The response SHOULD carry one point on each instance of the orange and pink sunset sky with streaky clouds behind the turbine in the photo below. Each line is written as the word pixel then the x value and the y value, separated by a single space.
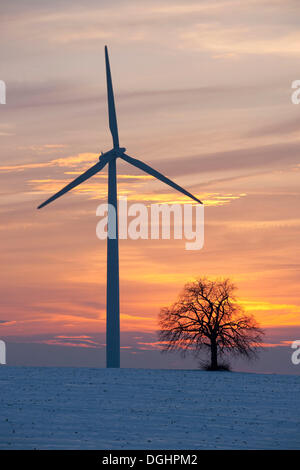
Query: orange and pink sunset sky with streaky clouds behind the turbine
pixel 203 94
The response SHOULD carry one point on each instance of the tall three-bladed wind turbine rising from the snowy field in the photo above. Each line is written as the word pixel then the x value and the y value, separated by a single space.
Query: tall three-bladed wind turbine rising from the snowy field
pixel 110 157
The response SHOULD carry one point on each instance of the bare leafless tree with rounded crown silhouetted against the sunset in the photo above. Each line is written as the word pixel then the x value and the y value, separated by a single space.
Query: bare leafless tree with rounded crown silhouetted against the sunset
pixel 206 315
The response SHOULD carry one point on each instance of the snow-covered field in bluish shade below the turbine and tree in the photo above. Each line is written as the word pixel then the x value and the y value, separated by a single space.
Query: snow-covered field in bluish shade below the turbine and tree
pixel 81 408
